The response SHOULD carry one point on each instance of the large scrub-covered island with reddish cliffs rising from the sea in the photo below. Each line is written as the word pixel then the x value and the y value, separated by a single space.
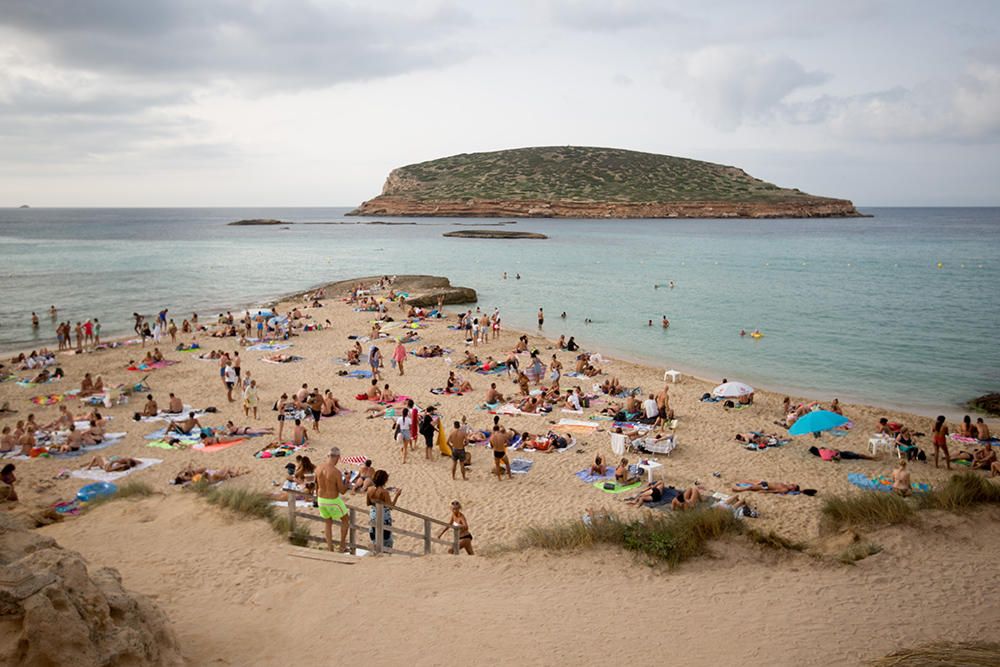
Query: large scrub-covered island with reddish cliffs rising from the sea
pixel 584 182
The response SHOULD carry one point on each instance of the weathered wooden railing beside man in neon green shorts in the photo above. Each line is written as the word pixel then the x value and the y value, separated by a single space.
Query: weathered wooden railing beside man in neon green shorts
pixel 378 546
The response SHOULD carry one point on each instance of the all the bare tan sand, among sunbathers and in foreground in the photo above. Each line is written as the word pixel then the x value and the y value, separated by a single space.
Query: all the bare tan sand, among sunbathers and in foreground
pixel 237 596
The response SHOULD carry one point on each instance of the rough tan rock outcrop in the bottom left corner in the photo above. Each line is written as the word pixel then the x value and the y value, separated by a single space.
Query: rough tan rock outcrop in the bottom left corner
pixel 55 612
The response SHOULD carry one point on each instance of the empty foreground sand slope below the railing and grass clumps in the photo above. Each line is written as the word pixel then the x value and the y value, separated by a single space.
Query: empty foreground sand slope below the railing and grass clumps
pixel 237 598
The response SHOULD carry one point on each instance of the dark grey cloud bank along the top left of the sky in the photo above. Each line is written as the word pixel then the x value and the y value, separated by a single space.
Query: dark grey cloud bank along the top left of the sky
pixel 285 44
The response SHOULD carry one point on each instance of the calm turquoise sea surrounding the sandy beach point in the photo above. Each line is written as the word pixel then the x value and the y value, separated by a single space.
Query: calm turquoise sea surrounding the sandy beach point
pixel 855 308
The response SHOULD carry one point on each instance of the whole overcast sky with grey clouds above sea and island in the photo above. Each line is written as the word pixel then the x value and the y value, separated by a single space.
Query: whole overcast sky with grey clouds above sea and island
pixel 312 102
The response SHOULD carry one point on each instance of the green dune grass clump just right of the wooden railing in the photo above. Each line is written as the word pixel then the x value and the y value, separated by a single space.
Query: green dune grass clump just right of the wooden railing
pixel 667 538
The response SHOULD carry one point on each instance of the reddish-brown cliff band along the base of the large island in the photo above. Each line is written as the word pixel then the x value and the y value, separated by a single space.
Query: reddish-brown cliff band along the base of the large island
pixel 390 205
